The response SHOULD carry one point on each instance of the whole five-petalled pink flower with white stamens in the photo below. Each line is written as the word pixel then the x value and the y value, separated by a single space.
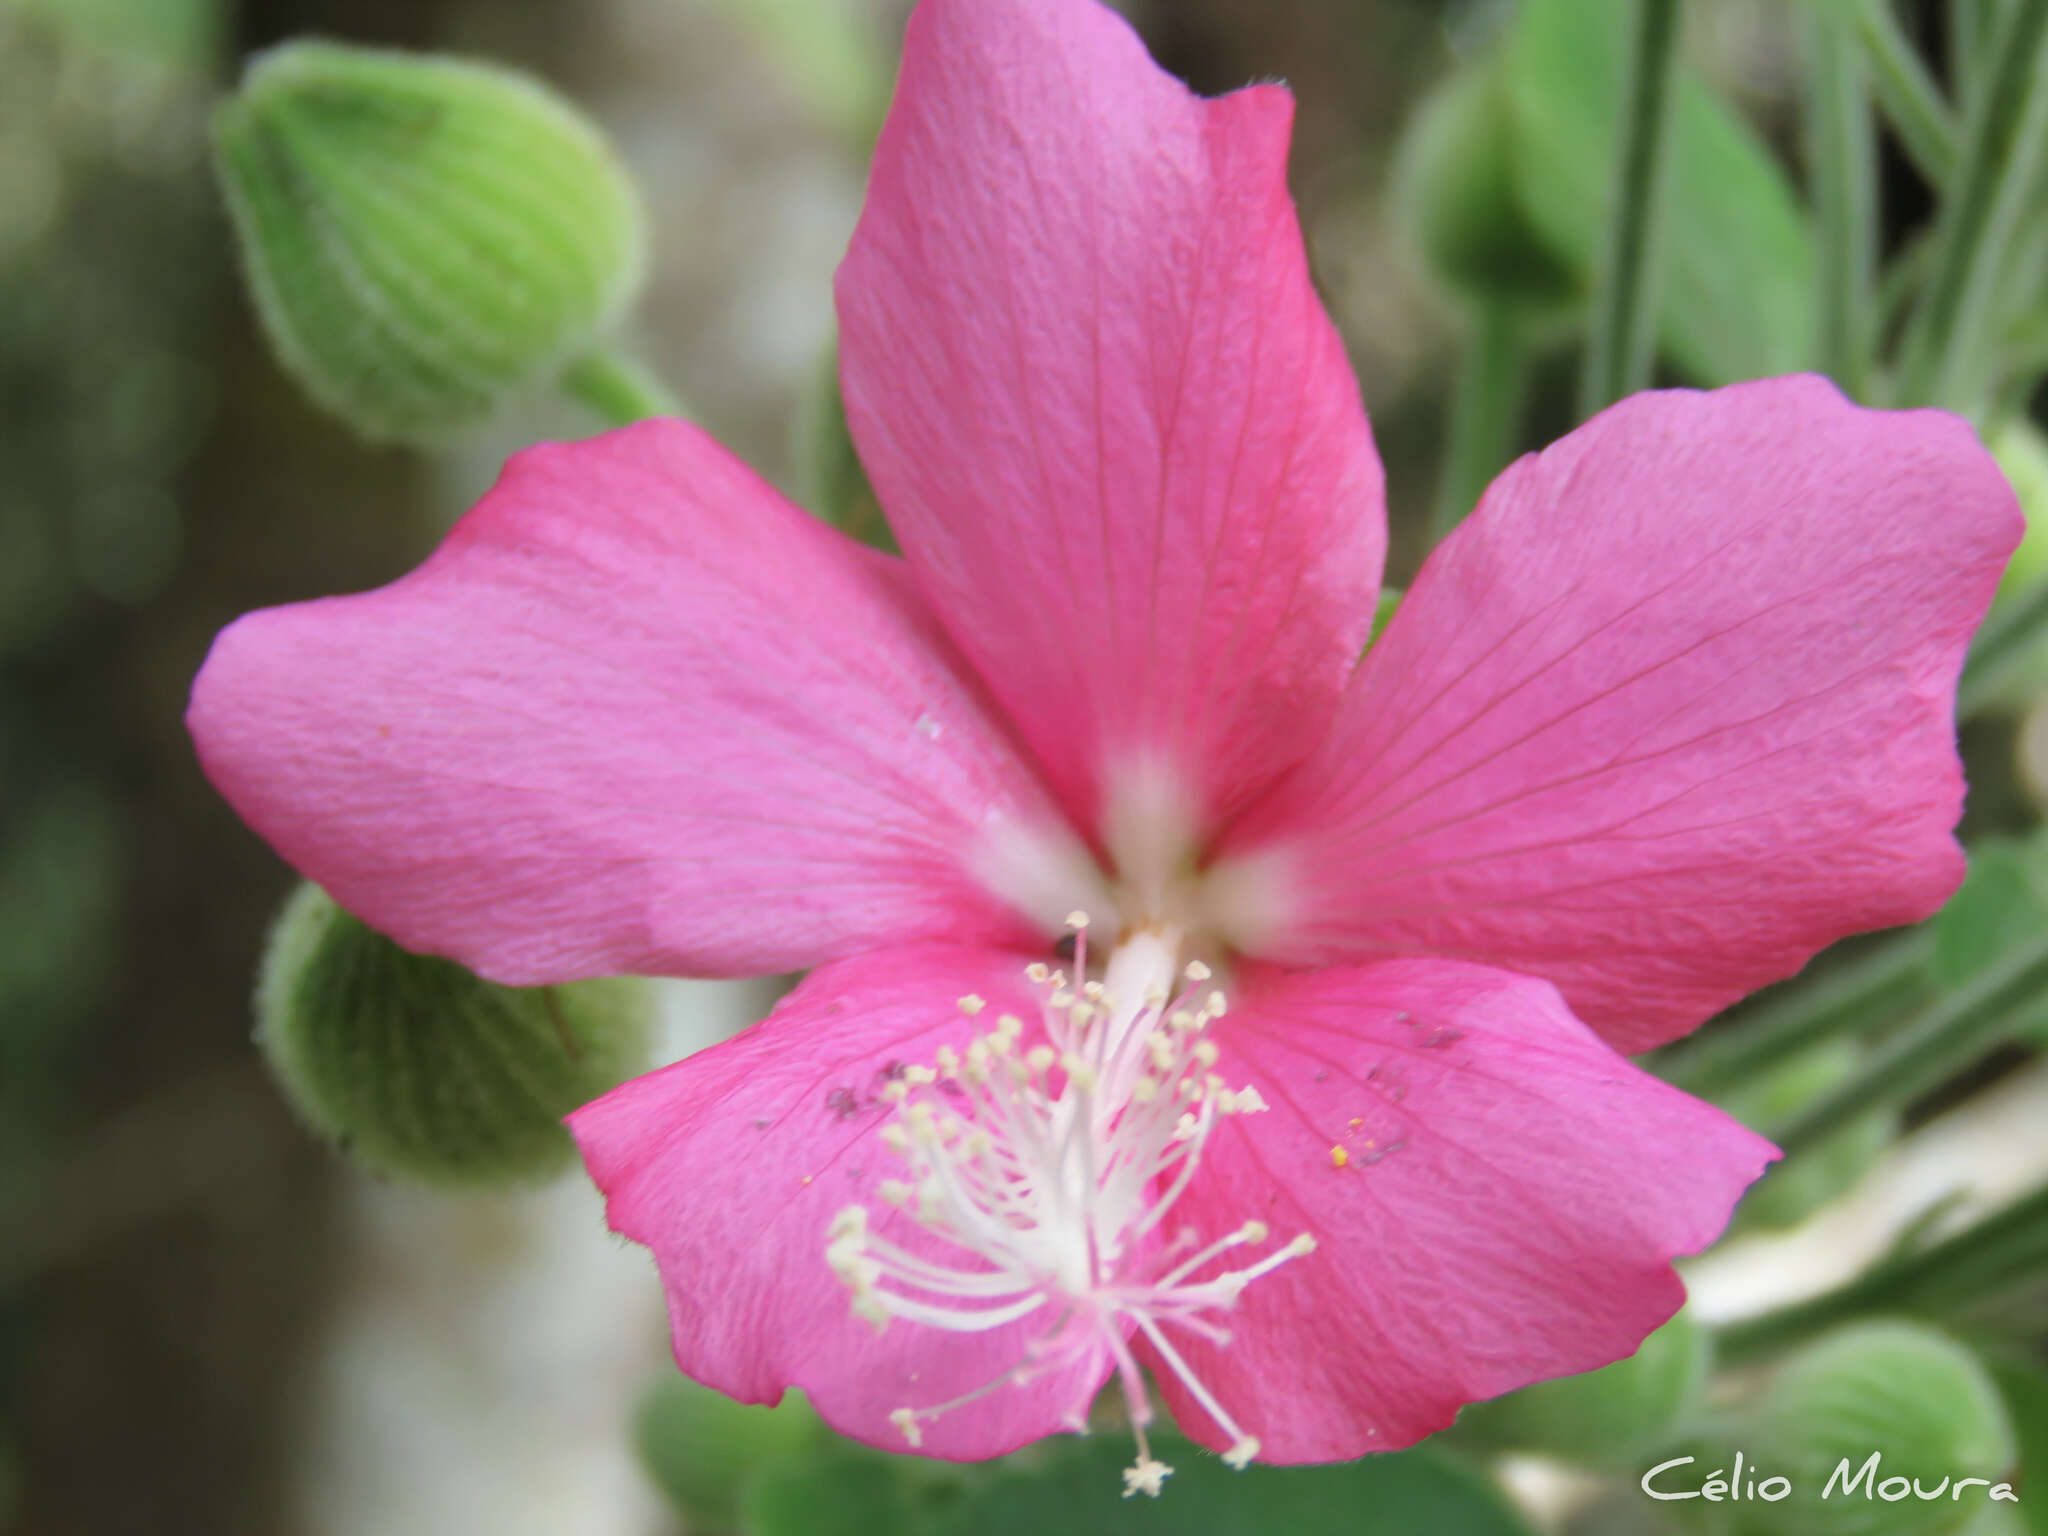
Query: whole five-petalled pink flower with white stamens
pixel 1664 718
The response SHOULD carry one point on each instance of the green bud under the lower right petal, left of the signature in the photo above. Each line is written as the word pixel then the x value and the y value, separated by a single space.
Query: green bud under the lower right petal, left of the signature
pixel 1603 1418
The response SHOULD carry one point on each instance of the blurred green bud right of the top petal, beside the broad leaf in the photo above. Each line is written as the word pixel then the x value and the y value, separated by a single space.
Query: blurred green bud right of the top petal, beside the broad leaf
pixel 1455 194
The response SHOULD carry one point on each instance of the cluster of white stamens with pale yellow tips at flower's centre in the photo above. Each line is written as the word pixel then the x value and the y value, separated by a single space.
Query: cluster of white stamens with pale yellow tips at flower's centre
pixel 1052 1170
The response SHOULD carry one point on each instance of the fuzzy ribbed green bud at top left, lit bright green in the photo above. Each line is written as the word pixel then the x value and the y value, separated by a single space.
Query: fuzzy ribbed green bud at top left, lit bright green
pixel 425 237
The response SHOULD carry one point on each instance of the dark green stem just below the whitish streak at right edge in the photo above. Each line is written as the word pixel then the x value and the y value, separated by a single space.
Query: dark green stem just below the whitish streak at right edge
pixel 1940 1281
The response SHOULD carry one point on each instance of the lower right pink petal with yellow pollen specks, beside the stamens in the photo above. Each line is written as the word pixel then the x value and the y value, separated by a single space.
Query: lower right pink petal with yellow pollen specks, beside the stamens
pixel 1508 1209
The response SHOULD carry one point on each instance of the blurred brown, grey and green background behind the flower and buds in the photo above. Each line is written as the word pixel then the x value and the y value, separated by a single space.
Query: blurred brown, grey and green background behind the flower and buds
pixel 208 1322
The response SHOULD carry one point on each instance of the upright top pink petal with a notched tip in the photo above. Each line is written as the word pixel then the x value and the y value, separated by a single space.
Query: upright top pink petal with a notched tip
pixel 1109 419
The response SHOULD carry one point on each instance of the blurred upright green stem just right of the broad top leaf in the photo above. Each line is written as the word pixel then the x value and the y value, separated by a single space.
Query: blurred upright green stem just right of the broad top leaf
pixel 1842 146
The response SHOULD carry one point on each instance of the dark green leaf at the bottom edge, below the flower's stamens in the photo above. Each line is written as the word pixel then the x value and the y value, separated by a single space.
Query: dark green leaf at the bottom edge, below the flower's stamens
pixel 1076 1494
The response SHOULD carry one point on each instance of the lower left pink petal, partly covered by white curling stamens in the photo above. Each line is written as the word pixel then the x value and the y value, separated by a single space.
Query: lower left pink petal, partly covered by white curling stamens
pixel 732 1166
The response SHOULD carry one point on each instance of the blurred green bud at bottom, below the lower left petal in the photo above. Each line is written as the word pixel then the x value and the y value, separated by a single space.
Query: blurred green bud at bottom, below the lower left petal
pixel 703 1449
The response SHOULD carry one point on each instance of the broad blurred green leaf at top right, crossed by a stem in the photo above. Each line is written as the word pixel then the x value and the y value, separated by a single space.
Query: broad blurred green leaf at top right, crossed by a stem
pixel 1738 284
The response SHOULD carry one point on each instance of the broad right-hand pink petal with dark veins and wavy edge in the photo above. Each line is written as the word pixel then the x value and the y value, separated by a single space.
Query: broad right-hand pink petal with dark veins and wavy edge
pixel 1672 712
